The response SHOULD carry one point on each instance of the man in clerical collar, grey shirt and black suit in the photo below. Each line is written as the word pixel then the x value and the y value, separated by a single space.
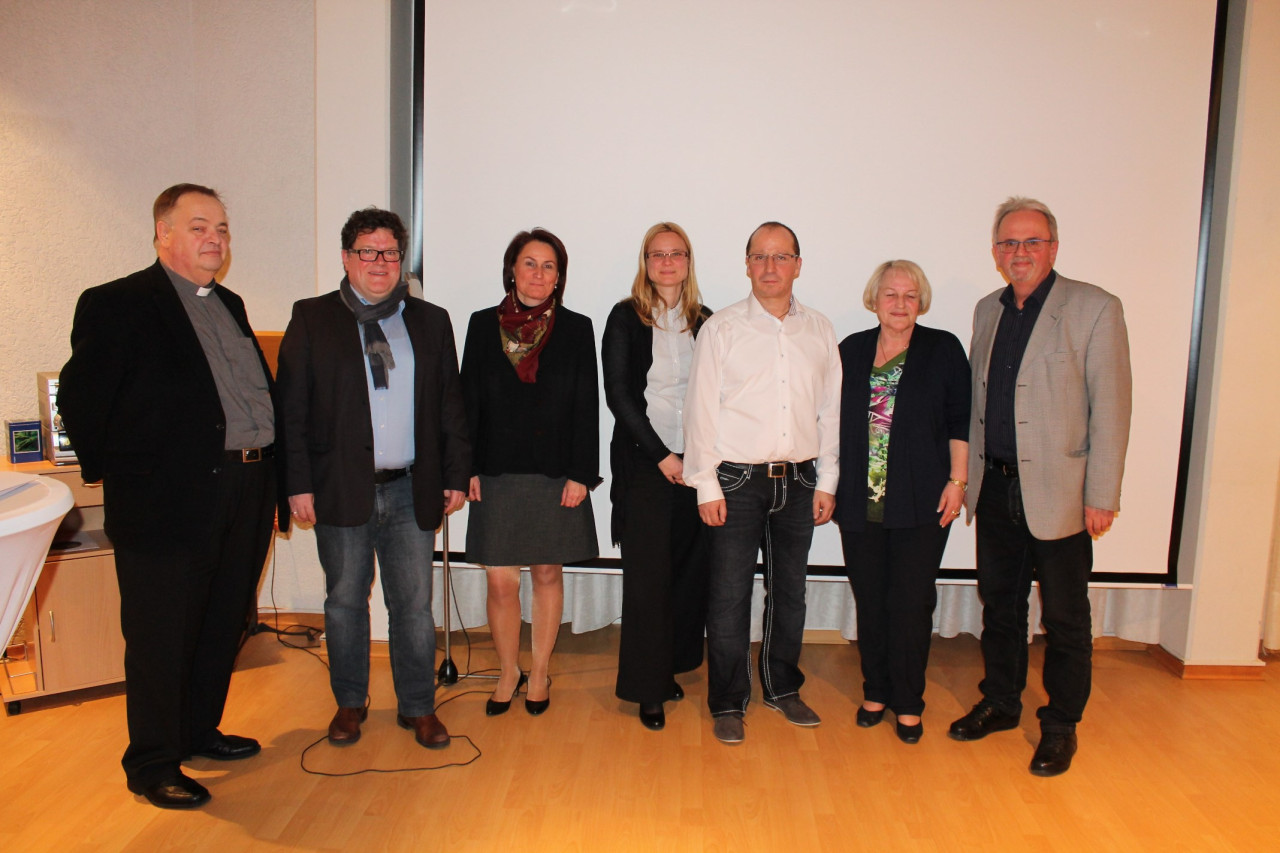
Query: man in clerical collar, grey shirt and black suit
pixel 167 400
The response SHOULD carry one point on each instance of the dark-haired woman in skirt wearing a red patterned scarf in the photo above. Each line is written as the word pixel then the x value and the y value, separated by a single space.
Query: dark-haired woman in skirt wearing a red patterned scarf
pixel 531 387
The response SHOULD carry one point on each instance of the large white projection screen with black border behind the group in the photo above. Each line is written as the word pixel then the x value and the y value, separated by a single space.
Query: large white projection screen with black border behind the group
pixel 875 130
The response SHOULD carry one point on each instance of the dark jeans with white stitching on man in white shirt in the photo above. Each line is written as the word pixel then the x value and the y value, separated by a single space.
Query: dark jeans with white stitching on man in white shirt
pixel 775 514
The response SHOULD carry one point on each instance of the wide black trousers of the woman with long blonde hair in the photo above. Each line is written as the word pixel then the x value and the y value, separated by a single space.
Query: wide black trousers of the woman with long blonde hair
pixel 664 585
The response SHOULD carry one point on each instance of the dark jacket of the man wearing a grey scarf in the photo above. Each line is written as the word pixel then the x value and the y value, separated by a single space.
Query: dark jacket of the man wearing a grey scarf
pixel 326 422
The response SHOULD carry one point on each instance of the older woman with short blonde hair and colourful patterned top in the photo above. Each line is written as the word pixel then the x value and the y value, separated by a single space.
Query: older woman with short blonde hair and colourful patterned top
pixel 904 453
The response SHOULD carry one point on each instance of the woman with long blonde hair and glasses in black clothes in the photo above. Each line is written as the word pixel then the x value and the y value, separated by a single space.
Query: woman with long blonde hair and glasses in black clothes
pixel 647 352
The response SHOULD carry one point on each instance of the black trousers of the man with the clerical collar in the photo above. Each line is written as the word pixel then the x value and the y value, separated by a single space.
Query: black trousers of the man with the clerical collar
pixel 184 609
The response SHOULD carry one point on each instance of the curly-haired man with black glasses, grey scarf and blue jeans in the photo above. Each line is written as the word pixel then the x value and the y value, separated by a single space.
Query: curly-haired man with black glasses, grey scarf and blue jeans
pixel 377 453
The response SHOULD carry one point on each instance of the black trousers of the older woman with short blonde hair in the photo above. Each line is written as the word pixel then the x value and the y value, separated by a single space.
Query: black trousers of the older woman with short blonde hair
pixel 894 574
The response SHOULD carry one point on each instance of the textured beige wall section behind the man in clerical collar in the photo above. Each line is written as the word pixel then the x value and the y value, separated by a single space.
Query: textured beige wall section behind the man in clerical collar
pixel 106 104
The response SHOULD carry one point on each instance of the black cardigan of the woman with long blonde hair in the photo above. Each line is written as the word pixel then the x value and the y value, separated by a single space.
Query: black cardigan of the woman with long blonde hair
pixel 628 355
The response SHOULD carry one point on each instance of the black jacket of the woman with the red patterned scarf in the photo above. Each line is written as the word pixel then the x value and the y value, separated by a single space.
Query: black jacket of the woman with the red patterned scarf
pixel 550 427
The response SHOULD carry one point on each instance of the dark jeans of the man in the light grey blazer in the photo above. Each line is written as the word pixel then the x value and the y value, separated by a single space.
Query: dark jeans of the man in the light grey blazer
pixel 1009 556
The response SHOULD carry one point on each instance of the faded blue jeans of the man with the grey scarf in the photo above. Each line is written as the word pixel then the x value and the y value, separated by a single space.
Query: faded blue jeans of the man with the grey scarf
pixel 405 560
